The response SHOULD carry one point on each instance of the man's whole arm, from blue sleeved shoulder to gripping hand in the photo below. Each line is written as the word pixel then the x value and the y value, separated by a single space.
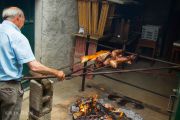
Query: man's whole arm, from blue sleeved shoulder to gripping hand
pixel 24 54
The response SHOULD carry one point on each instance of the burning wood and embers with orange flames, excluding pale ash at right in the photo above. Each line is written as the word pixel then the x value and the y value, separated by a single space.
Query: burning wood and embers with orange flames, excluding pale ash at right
pixel 92 108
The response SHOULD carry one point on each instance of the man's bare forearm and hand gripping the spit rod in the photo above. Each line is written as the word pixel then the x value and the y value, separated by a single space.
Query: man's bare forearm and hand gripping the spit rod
pixel 36 66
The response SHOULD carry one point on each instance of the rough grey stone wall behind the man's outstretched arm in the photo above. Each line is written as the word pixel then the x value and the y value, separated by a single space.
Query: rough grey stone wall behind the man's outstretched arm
pixel 55 21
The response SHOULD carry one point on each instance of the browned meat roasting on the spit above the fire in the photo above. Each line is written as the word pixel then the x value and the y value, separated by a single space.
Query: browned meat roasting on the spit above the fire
pixel 104 58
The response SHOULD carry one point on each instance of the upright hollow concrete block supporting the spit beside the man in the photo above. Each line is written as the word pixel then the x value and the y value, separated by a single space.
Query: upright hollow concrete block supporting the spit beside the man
pixel 41 93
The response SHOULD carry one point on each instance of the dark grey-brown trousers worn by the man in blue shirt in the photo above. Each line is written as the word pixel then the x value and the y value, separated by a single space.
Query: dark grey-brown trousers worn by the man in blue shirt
pixel 11 96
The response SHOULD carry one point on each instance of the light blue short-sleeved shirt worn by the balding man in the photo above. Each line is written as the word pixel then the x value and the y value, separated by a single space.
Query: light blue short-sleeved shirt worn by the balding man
pixel 15 50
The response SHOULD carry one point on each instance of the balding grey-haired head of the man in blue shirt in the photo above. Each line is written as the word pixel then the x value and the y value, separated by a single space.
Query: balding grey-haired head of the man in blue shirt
pixel 15 15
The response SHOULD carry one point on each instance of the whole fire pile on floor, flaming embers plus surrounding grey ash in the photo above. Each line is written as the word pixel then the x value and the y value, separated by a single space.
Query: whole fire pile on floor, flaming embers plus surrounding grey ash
pixel 91 108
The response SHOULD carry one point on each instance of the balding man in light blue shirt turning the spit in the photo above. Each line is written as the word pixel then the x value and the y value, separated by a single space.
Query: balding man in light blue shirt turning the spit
pixel 14 52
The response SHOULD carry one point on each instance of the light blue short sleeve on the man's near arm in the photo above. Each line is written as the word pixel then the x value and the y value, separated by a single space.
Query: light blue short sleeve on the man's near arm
pixel 22 49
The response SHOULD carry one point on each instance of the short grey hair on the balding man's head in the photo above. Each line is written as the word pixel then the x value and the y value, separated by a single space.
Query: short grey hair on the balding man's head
pixel 11 12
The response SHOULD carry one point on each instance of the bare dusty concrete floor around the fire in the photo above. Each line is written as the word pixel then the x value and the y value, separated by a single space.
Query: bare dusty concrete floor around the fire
pixel 66 92
